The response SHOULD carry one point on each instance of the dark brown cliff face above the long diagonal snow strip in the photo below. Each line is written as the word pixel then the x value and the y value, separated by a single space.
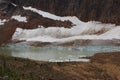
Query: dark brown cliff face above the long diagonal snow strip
pixel 107 11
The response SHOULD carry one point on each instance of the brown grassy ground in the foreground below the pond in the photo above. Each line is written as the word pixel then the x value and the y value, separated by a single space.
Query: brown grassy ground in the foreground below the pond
pixel 102 66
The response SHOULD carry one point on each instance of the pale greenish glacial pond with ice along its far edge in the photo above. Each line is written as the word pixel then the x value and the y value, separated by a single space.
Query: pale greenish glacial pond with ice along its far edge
pixel 55 53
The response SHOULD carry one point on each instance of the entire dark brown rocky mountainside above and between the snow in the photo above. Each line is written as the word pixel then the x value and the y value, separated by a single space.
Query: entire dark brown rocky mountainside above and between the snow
pixel 106 11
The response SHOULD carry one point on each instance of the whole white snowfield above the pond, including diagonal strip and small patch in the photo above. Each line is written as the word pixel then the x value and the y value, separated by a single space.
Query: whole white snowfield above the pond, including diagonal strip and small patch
pixel 80 30
